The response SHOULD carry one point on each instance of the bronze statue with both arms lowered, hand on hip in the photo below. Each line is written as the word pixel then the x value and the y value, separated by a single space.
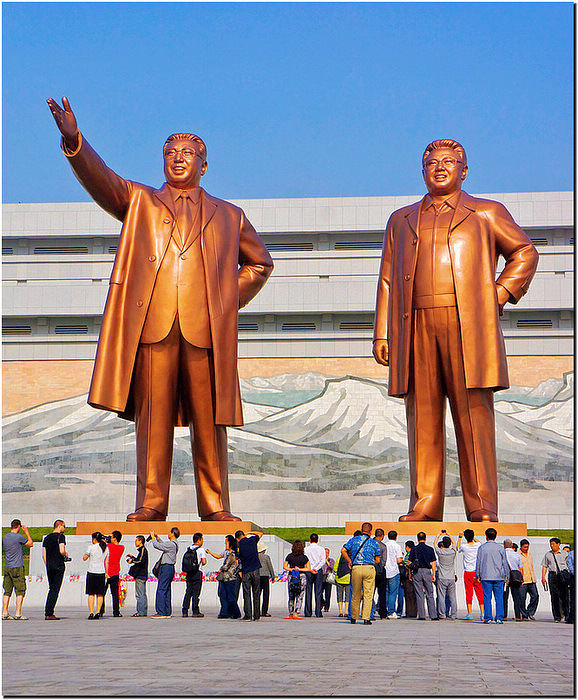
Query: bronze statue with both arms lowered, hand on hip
pixel 437 328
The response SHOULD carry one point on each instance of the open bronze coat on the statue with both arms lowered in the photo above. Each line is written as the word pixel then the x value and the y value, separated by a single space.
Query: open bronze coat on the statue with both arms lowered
pixel 480 232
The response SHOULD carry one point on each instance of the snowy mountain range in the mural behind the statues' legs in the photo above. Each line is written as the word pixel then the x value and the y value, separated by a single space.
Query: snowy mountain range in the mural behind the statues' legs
pixel 307 432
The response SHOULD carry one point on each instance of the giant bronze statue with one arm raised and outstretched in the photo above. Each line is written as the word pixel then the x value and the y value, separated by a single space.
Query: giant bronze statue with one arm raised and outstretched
pixel 167 352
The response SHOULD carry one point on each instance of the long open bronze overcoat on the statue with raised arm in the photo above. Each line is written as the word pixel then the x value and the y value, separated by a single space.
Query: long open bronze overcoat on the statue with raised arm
pixel 236 264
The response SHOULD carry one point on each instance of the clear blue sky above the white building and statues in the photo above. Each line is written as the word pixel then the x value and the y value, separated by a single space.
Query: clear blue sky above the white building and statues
pixel 292 99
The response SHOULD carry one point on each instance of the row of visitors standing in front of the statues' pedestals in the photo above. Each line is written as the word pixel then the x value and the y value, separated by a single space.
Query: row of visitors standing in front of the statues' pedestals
pixel 373 577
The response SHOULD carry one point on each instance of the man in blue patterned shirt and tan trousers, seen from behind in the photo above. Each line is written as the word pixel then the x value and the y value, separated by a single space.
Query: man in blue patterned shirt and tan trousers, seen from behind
pixel 362 554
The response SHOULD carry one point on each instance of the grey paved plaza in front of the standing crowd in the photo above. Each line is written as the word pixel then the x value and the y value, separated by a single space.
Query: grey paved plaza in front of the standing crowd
pixel 329 656
